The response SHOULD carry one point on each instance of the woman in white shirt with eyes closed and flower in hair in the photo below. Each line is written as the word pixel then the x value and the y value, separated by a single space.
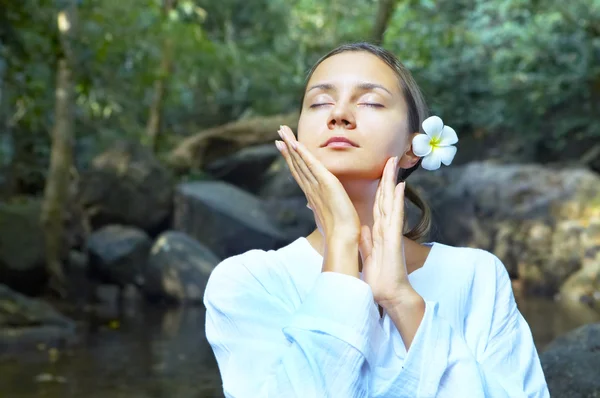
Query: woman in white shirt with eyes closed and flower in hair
pixel 356 309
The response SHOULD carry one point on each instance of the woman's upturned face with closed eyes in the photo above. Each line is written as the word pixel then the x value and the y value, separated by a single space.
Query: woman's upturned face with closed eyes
pixel 355 96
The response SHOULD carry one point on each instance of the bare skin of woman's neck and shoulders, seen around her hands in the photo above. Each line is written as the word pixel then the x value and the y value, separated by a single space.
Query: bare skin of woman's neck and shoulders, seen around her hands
pixel 362 195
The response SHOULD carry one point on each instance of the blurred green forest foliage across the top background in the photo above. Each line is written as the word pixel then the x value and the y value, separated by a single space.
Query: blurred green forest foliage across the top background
pixel 530 69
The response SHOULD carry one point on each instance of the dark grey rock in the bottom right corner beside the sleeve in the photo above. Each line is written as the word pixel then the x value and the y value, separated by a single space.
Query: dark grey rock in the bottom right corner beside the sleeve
pixel 571 363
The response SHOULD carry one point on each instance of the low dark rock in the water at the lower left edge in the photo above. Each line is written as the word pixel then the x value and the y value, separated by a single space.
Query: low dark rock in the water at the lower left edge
pixel 25 323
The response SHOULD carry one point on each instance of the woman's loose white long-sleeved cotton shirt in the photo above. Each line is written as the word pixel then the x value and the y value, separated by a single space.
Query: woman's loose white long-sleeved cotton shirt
pixel 279 327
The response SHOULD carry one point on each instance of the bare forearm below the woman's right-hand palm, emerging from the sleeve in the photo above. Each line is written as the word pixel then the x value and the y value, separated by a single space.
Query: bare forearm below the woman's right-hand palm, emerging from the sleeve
pixel 406 314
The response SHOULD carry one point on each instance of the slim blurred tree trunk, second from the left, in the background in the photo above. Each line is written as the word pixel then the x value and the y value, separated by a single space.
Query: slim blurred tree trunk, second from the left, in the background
pixel 160 84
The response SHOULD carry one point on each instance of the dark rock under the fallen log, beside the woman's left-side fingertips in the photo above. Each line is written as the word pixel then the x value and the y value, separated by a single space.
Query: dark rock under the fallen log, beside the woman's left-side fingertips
pixel 245 168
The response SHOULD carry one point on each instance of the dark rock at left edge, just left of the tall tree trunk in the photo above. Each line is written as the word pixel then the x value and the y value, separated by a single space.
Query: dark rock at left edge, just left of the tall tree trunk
pixel 22 252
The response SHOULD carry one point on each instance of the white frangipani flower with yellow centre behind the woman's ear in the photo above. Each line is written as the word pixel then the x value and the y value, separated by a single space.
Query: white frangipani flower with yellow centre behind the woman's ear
pixel 436 146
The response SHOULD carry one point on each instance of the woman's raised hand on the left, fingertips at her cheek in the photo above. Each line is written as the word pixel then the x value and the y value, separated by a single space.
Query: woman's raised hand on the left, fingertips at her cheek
pixel 335 214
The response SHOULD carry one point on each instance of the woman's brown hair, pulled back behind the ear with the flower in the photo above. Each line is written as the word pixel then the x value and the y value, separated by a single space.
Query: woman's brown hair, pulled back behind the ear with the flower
pixel 417 112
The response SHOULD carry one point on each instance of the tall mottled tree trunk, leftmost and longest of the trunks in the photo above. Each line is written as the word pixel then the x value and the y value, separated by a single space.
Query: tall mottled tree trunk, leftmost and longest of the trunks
pixel 61 158
